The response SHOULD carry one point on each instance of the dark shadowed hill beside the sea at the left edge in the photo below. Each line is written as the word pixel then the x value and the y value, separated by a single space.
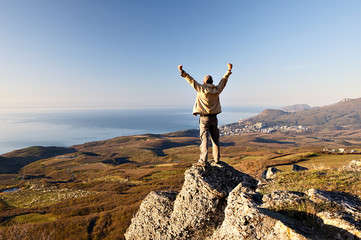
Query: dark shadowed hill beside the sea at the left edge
pixel 13 161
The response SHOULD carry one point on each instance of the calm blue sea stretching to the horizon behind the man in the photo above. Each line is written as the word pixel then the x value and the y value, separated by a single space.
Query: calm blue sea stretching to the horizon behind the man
pixel 21 128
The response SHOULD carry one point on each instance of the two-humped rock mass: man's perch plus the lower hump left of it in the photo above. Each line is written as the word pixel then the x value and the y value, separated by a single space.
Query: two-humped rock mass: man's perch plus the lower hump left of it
pixel 196 211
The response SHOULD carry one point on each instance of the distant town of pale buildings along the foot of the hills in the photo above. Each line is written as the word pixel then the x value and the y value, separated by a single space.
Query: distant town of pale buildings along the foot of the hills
pixel 247 127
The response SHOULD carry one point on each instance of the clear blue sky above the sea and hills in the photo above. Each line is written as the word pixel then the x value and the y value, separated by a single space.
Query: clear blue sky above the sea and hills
pixel 86 53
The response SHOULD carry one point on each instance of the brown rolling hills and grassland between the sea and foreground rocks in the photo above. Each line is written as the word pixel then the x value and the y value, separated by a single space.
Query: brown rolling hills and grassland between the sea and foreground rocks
pixel 92 190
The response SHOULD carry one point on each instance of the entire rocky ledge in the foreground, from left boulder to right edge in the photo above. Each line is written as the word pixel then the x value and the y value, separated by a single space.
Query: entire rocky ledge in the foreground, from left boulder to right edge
pixel 219 202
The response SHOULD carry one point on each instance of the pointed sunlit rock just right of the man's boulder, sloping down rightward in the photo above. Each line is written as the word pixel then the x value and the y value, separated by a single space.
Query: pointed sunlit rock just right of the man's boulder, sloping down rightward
pixel 246 219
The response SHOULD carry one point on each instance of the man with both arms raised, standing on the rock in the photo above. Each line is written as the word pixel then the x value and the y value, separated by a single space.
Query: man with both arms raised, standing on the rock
pixel 207 105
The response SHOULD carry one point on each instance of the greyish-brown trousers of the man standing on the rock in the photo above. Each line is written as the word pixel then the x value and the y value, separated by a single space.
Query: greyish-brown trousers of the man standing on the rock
pixel 208 125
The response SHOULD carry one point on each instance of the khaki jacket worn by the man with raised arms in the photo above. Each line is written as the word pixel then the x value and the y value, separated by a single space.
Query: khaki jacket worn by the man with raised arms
pixel 207 101
